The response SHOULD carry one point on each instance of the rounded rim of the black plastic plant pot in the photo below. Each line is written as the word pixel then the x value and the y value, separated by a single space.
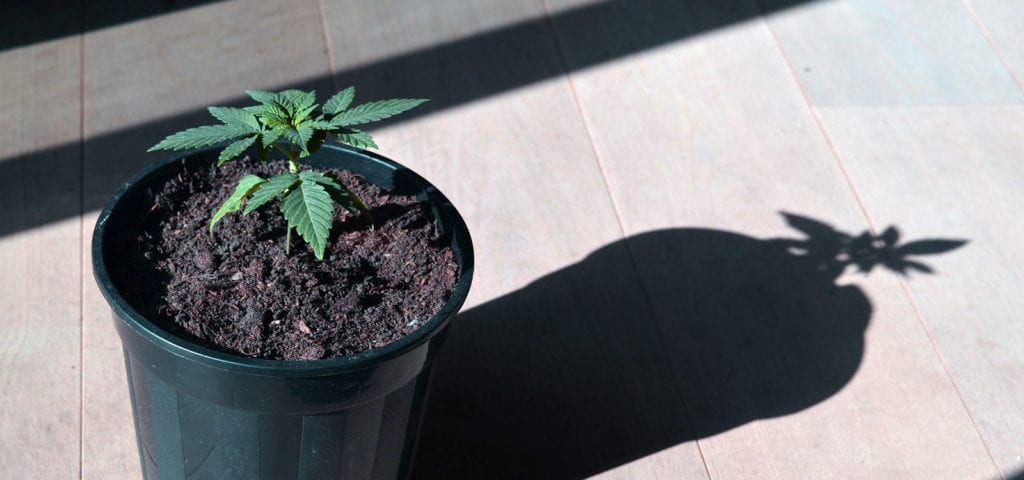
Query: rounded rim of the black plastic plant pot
pixel 189 351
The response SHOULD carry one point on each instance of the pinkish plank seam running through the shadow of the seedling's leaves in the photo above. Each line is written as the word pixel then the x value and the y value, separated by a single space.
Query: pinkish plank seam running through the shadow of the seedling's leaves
pixel 871 224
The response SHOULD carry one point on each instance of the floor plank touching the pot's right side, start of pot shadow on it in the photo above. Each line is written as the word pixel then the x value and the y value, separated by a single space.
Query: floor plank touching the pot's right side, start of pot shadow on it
pixel 553 369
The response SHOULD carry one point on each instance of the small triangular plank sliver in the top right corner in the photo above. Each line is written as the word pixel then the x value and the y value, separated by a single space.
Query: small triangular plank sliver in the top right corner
pixel 1002 22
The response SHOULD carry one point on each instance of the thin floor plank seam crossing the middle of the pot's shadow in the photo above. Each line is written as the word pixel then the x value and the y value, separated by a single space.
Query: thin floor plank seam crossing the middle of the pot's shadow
pixel 617 210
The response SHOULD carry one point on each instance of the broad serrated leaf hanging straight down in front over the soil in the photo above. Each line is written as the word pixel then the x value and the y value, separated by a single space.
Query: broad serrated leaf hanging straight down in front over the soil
pixel 310 210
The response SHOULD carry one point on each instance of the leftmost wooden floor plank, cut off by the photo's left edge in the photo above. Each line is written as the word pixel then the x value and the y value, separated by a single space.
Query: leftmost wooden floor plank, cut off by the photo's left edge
pixel 40 278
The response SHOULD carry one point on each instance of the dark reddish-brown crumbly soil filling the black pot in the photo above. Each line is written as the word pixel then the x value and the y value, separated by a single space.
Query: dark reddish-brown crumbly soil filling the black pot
pixel 238 292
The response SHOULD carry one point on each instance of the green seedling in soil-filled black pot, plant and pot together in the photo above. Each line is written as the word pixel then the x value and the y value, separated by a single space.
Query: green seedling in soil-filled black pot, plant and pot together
pixel 251 355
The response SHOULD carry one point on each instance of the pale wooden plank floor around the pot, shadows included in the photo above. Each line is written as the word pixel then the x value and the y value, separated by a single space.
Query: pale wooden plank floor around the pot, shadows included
pixel 723 240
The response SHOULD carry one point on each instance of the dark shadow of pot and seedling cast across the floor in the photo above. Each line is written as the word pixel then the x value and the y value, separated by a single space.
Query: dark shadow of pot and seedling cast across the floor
pixel 664 338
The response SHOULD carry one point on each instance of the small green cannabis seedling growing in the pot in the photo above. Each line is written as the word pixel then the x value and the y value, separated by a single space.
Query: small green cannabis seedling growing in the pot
pixel 308 198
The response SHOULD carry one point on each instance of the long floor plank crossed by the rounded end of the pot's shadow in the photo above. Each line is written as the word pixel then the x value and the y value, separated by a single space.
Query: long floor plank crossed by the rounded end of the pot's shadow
pixel 790 370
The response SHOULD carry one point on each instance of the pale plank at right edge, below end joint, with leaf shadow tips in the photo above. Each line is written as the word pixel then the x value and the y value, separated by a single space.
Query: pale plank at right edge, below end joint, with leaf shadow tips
pixel 956 172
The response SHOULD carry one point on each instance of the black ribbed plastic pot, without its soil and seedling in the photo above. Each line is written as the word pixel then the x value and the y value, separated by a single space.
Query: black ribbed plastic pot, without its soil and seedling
pixel 202 414
